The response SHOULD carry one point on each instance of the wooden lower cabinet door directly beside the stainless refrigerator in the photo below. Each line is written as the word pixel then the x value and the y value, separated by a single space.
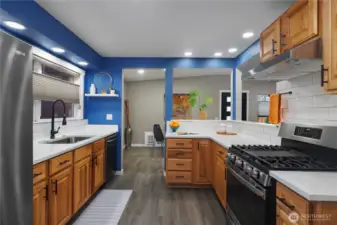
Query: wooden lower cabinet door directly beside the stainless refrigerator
pixel 40 197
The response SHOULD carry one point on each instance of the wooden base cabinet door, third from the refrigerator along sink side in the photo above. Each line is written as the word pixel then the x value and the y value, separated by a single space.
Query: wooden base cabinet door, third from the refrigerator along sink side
pixel 82 182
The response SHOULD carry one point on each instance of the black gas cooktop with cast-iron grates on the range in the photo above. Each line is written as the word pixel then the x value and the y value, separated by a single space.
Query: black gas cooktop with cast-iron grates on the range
pixel 279 158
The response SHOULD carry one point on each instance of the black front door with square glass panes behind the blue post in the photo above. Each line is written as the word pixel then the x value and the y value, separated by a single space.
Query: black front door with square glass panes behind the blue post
pixel 225 105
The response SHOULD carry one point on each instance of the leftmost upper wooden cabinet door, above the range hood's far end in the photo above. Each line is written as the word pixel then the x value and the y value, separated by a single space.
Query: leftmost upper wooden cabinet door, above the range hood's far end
pixel 270 41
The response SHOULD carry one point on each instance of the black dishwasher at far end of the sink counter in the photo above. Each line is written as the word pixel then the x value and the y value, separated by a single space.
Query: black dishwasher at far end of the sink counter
pixel 110 158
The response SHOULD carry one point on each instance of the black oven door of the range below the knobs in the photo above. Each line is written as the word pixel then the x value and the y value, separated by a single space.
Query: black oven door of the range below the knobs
pixel 246 200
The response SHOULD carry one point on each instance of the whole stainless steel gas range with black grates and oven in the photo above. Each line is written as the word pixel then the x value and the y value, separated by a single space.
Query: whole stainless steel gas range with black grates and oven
pixel 251 192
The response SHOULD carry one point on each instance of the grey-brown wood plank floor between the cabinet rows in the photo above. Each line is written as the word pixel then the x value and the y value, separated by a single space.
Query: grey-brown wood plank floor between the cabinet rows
pixel 153 203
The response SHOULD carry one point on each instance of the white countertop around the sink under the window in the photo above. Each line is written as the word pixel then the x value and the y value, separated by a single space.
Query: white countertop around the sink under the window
pixel 42 152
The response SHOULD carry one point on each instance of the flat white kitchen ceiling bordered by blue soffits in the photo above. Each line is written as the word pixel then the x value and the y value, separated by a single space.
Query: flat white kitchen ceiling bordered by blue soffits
pixel 165 28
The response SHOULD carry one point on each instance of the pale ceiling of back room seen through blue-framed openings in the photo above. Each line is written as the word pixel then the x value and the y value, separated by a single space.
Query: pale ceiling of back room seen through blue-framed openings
pixel 131 75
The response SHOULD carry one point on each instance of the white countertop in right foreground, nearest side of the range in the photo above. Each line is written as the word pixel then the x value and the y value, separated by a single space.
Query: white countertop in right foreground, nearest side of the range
pixel 314 186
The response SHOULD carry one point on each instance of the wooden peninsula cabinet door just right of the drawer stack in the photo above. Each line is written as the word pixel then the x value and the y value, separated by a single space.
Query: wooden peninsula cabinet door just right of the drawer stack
pixel 201 162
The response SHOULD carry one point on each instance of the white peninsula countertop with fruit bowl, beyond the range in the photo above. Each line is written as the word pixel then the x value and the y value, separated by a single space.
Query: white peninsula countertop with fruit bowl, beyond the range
pixel 224 140
